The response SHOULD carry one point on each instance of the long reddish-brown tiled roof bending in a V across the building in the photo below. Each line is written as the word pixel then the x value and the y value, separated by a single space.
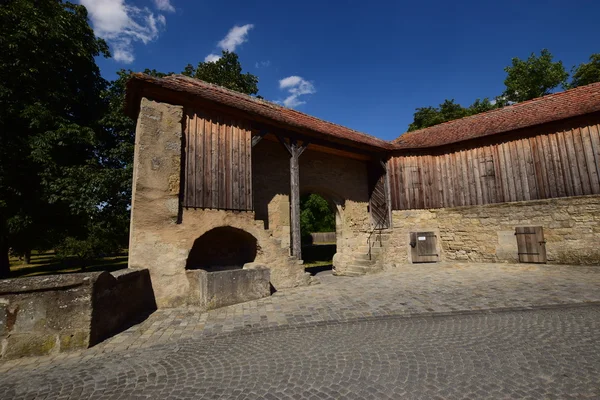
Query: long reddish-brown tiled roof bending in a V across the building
pixel 554 107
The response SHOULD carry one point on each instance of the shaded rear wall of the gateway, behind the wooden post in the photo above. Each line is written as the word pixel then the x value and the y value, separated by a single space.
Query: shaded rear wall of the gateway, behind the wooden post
pixel 341 181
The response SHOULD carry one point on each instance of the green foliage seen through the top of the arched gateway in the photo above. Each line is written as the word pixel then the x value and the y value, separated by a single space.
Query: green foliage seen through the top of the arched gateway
pixel 315 215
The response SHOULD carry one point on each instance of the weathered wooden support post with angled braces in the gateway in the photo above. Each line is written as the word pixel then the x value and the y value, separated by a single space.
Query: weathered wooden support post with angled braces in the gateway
pixel 295 151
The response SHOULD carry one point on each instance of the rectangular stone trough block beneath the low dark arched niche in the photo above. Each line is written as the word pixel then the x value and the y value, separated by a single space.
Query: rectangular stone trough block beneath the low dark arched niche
pixel 212 290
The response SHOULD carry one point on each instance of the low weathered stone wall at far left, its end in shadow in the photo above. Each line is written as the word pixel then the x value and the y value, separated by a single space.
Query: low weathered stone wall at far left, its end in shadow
pixel 58 313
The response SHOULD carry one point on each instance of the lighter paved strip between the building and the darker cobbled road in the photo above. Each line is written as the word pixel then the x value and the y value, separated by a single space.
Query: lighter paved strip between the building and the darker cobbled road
pixel 414 289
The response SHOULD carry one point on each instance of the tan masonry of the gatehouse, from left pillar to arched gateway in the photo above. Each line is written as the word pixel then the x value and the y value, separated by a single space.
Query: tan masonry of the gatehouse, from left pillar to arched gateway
pixel 162 233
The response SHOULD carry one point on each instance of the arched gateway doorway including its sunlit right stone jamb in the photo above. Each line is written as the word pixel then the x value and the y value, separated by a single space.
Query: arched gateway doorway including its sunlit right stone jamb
pixel 320 245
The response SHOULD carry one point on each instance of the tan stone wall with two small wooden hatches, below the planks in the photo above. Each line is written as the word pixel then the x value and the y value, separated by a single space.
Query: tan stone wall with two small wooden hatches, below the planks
pixel 487 233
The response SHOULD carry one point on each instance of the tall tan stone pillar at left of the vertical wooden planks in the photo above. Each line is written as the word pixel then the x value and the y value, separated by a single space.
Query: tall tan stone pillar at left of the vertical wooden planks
pixel 155 200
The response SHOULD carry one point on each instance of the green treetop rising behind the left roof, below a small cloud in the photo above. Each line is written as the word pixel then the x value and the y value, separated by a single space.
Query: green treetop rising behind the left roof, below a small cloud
pixel 226 72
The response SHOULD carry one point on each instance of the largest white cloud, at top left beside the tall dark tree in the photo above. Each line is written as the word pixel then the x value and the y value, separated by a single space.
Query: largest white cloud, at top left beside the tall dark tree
pixel 122 24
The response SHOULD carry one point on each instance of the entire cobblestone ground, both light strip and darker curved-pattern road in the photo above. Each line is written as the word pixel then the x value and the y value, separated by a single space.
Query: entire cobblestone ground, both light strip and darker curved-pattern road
pixel 348 337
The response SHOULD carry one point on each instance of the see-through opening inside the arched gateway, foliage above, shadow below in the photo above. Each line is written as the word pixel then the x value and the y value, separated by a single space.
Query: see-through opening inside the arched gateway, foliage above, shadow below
pixel 318 229
